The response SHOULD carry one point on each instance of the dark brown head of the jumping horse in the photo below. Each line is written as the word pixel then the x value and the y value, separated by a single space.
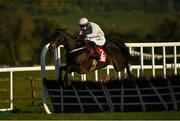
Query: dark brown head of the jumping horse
pixel 57 38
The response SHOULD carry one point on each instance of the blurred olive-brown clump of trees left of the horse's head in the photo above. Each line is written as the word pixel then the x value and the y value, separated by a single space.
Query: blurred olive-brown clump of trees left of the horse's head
pixel 22 37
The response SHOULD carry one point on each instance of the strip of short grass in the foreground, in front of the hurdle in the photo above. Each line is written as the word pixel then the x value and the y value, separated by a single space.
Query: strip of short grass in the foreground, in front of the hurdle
pixel 92 116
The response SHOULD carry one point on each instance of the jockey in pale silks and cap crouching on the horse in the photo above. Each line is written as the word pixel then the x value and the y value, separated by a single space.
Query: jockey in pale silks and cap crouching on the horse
pixel 92 32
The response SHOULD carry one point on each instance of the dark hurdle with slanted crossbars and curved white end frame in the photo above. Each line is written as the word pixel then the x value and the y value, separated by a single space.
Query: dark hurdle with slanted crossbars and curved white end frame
pixel 124 95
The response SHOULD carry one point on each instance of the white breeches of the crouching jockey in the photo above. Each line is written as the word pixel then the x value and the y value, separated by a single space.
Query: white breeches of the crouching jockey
pixel 100 40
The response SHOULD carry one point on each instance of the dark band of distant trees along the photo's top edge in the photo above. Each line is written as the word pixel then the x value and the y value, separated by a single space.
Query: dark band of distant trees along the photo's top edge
pixel 146 5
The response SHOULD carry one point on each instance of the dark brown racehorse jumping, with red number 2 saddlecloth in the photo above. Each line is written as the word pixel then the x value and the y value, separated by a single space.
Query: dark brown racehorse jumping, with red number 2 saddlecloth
pixel 78 55
